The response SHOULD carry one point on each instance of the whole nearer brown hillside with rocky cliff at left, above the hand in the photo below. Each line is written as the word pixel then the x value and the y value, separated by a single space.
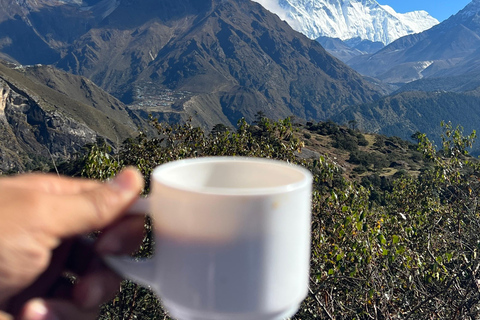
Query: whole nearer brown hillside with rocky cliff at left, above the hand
pixel 47 114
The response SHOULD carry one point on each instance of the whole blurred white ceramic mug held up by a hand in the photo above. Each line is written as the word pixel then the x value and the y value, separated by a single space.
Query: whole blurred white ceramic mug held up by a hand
pixel 232 239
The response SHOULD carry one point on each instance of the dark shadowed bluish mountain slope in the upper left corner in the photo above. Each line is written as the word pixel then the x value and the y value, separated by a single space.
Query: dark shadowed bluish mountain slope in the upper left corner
pixel 39 31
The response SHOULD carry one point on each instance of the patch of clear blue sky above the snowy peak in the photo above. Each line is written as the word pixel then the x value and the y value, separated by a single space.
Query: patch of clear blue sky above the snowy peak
pixel 439 9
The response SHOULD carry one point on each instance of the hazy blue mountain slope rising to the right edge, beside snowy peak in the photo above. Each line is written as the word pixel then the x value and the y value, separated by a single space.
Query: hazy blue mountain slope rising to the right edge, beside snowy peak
pixel 451 48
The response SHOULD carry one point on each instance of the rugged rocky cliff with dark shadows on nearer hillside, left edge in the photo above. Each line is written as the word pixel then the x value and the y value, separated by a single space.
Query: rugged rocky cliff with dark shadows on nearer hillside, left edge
pixel 29 132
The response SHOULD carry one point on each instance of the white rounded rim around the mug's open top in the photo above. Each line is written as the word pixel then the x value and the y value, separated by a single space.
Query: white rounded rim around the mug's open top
pixel 306 180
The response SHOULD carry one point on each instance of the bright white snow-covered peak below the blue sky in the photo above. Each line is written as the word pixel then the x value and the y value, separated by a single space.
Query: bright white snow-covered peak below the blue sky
pixel 348 19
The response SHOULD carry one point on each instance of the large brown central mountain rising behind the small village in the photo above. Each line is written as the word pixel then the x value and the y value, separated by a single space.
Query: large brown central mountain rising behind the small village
pixel 227 52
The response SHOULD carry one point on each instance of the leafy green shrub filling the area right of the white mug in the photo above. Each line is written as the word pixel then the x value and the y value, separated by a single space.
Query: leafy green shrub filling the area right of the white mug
pixel 412 257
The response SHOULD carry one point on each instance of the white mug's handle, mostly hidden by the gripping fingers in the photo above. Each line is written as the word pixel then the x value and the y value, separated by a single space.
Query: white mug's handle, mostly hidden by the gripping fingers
pixel 140 271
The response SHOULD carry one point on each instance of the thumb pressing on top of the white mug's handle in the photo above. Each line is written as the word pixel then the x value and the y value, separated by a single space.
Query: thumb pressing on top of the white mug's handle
pixel 95 208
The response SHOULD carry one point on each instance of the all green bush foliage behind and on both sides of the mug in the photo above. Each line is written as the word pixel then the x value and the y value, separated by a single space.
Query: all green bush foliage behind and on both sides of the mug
pixel 410 254
